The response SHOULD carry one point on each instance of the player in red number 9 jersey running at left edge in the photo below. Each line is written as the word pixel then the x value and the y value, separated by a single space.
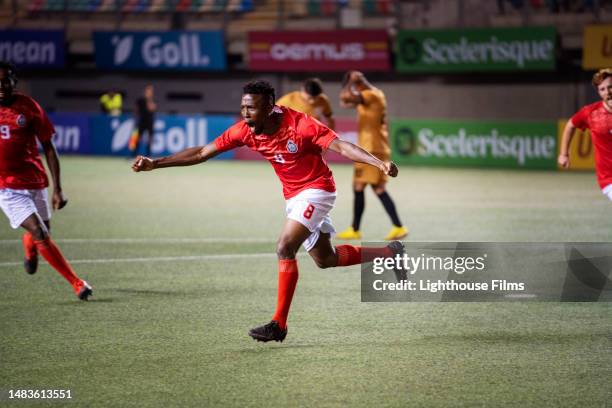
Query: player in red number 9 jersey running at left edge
pixel 23 181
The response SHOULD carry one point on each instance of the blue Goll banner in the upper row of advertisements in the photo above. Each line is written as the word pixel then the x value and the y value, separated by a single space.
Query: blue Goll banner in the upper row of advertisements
pixel 163 50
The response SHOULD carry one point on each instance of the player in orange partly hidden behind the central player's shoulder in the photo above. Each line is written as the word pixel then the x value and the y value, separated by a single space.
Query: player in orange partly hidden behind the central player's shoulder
pixel 310 100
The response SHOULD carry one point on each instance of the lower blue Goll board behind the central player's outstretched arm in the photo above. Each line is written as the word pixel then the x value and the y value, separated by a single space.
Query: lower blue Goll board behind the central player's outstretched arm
pixel 172 133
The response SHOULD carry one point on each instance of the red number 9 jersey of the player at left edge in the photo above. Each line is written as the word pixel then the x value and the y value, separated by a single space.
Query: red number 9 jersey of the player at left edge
pixel 21 124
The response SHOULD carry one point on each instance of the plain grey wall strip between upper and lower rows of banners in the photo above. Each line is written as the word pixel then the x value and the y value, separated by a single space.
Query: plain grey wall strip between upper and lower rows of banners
pixel 410 97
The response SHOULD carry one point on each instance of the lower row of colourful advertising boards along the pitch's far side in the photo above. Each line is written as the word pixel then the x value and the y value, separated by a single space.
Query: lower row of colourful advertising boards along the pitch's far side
pixel 453 143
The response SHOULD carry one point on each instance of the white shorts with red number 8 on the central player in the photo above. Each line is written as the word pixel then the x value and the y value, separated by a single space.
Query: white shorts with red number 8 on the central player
pixel 311 208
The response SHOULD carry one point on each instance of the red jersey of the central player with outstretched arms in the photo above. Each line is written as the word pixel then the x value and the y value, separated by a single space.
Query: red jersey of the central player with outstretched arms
pixel 294 150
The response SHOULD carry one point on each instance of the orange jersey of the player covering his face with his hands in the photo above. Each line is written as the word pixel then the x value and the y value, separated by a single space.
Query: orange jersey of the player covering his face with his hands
pixel 372 117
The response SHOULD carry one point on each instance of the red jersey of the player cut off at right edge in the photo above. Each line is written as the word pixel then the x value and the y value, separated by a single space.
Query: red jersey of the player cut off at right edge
pixel 598 120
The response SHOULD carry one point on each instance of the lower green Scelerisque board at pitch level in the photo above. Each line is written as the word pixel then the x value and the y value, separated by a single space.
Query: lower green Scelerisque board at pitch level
pixel 529 145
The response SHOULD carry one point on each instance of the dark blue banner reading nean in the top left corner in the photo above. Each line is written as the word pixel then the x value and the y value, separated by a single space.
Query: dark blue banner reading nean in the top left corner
pixel 33 48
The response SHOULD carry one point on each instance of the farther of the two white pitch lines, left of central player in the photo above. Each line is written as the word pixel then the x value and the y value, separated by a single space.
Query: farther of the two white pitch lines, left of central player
pixel 149 240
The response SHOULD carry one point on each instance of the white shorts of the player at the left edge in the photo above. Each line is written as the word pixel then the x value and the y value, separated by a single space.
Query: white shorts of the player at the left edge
pixel 20 204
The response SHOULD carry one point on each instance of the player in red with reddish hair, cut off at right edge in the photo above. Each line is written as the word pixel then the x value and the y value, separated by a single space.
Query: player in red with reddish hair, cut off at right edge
pixel 597 117
